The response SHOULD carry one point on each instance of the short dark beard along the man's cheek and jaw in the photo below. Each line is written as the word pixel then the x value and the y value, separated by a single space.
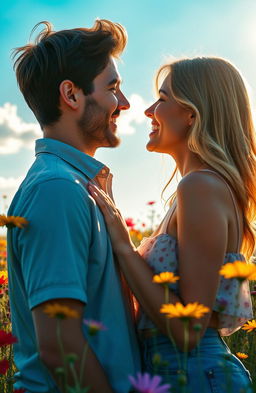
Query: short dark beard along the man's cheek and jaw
pixel 95 127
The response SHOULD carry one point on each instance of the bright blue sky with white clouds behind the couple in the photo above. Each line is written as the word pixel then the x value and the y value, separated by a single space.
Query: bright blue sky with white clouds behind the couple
pixel 156 29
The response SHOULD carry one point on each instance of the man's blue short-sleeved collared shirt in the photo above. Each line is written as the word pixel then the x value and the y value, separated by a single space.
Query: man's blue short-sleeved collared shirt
pixel 65 252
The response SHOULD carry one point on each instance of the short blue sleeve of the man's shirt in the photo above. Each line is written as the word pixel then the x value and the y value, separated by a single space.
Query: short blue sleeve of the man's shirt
pixel 54 247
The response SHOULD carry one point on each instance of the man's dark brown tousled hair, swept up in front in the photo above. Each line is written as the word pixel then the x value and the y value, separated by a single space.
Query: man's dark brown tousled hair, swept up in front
pixel 78 55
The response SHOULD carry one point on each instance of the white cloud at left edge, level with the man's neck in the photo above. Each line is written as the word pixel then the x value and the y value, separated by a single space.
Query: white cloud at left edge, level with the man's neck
pixel 14 132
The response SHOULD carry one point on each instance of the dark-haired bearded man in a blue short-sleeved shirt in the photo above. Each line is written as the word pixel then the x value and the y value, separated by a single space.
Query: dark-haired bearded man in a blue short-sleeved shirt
pixel 70 81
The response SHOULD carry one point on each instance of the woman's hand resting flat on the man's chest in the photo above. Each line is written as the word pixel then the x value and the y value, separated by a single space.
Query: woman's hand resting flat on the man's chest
pixel 115 223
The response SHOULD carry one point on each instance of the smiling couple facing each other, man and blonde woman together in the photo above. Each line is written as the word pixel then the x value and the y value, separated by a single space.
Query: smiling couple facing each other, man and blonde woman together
pixel 201 118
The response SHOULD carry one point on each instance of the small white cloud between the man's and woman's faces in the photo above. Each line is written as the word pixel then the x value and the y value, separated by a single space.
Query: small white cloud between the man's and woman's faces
pixel 135 115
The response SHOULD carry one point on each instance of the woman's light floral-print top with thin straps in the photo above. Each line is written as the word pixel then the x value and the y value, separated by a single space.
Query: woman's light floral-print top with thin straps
pixel 233 300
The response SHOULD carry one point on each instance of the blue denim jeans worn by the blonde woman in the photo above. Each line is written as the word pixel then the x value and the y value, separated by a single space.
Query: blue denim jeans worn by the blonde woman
pixel 211 368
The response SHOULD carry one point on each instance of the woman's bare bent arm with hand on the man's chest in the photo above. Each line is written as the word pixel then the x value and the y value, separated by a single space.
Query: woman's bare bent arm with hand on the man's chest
pixel 202 234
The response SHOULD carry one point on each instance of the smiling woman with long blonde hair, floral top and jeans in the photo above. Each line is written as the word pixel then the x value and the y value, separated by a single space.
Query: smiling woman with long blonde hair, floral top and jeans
pixel 202 118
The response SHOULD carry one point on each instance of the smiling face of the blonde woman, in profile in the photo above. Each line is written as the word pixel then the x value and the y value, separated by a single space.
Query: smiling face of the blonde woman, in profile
pixel 170 122
